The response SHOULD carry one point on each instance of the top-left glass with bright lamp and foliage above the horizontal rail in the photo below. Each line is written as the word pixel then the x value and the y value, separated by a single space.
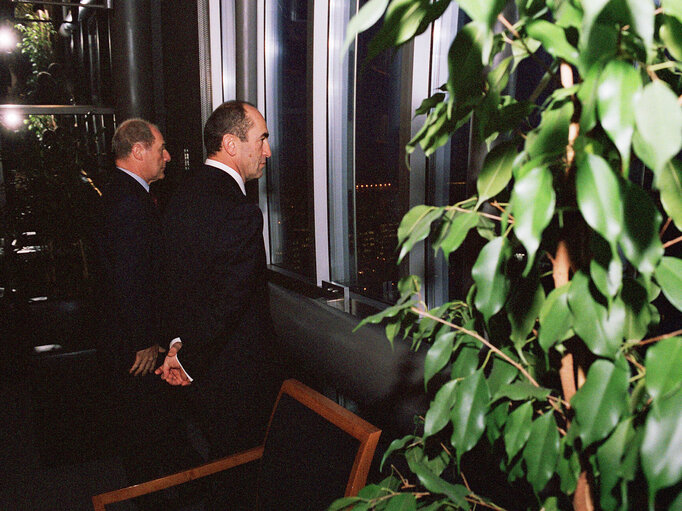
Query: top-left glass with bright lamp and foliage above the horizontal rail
pixel 51 55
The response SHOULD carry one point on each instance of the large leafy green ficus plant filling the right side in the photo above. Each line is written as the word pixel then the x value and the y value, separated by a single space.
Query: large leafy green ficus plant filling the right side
pixel 556 370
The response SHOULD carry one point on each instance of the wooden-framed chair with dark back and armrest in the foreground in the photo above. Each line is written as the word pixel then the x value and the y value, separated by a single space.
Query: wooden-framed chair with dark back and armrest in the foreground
pixel 314 451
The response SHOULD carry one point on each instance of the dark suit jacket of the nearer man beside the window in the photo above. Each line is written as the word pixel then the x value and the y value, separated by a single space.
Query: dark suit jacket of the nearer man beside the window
pixel 214 275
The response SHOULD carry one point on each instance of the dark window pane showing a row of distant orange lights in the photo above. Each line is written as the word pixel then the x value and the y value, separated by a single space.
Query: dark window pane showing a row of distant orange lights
pixel 377 171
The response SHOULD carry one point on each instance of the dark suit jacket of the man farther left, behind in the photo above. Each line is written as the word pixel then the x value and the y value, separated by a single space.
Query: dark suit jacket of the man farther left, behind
pixel 128 242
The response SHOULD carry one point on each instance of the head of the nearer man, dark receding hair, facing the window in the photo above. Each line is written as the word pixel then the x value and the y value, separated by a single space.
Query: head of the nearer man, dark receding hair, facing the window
pixel 236 134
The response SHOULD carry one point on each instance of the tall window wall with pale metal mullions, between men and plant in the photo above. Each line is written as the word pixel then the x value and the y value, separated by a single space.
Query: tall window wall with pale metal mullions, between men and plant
pixel 367 108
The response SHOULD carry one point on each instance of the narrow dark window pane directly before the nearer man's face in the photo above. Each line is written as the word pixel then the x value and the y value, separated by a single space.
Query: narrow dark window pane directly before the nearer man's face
pixel 289 171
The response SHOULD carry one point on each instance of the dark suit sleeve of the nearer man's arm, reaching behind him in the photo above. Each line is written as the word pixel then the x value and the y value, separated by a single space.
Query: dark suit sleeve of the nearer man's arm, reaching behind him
pixel 226 284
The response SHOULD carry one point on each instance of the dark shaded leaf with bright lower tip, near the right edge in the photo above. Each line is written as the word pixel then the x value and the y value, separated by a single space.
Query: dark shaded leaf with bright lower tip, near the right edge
pixel 639 240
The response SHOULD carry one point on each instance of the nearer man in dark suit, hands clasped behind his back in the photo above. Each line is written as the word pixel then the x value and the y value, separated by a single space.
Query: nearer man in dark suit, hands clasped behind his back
pixel 218 304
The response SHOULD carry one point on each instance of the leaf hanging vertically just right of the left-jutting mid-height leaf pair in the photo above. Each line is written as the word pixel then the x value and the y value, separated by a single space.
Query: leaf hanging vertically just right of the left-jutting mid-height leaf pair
pixel 491 282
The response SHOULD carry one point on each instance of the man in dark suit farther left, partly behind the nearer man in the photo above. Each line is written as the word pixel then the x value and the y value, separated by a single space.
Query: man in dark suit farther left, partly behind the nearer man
pixel 128 241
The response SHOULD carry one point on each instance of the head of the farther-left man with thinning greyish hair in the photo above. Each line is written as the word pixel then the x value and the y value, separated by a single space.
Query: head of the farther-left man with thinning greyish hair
pixel 138 147
